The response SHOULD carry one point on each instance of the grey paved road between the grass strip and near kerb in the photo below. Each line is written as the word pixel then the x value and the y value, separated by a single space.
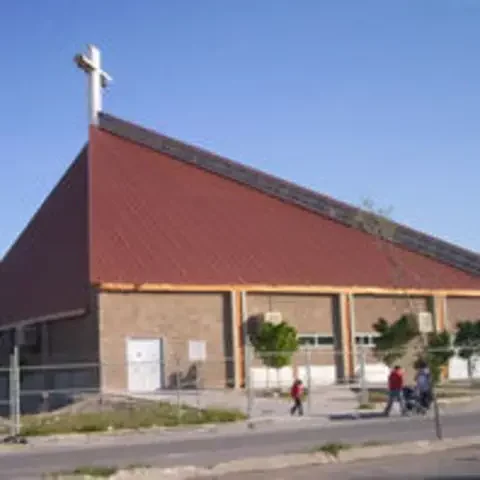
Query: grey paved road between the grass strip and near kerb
pixel 207 448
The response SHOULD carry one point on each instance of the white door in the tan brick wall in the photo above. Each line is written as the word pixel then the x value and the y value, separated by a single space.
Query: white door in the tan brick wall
pixel 144 358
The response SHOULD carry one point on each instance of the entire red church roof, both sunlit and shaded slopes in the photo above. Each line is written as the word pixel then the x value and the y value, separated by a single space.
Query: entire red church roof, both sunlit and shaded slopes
pixel 130 213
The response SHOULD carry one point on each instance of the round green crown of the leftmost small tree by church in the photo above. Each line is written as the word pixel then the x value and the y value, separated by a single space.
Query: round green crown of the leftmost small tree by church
pixel 275 344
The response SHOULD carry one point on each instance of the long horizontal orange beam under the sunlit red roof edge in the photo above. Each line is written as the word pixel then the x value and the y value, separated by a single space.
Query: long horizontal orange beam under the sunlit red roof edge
pixel 305 289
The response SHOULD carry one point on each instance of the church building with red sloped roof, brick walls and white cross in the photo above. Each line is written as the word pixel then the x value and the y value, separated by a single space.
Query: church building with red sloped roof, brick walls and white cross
pixel 150 249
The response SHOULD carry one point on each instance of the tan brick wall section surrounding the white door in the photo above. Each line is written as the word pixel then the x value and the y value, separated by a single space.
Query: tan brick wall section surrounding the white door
pixel 177 318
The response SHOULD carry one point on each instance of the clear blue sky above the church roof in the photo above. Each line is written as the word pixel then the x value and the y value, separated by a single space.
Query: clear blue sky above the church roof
pixel 357 99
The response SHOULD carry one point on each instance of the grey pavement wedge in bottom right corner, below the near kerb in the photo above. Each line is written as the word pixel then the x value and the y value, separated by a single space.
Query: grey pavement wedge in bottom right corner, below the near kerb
pixel 454 464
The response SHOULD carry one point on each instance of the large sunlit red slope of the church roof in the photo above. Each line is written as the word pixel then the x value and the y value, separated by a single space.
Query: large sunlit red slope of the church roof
pixel 155 219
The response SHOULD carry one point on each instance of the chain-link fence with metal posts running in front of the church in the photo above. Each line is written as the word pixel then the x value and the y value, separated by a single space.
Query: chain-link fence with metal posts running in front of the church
pixel 334 382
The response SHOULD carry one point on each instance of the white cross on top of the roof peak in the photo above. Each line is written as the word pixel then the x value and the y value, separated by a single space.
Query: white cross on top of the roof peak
pixel 97 80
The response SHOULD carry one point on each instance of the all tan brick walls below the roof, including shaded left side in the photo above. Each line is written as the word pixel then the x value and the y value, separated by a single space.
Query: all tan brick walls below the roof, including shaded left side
pixel 100 337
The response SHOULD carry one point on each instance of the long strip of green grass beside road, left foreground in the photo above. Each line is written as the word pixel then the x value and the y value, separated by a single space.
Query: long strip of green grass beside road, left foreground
pixel 156 414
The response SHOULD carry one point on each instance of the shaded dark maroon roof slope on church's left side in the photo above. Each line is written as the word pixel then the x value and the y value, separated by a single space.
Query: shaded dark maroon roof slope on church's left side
pixel 46 270
